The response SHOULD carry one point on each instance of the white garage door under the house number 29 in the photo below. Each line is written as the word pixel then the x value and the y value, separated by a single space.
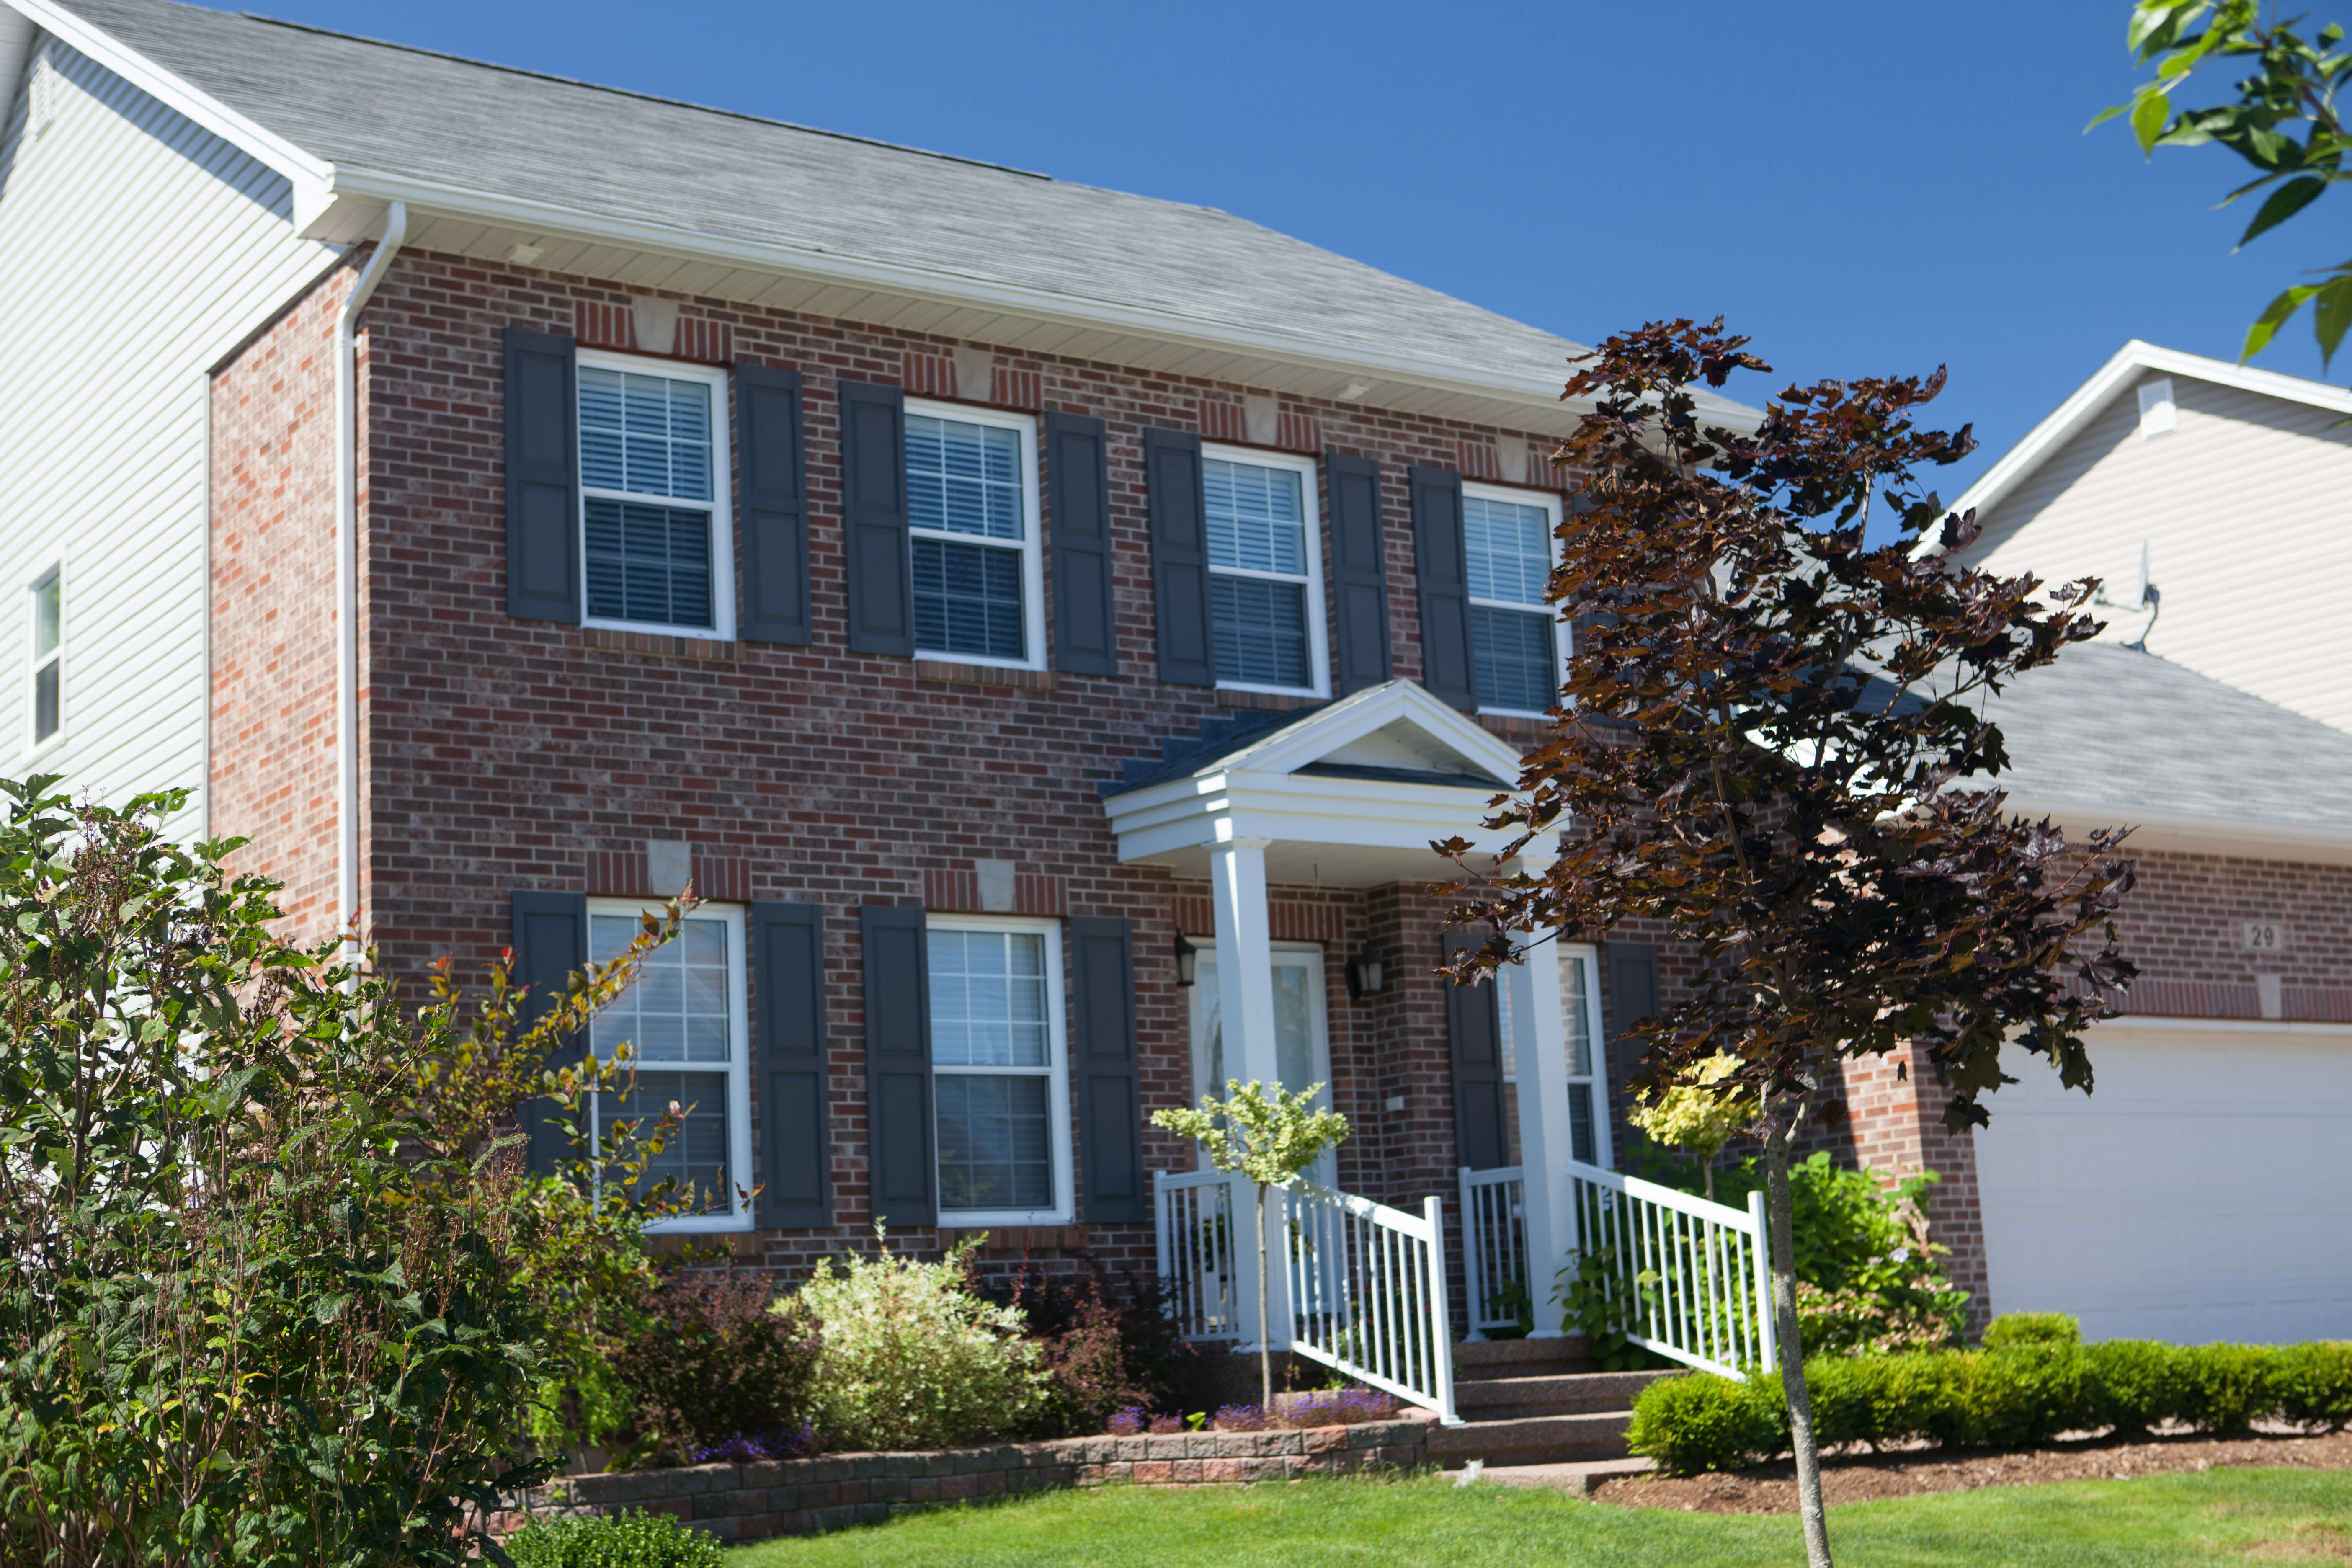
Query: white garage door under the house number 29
pixel 2203 1193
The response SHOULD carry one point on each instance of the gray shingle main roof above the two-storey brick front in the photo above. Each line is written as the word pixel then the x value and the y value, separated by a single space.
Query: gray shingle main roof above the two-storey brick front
pixel 624 156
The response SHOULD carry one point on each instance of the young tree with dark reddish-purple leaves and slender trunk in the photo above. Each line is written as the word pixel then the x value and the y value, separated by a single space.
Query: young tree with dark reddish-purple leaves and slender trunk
pixel 1775 746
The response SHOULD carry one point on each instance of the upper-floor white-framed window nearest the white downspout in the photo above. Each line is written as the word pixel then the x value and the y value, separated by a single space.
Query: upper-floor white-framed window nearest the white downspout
pixel 655 516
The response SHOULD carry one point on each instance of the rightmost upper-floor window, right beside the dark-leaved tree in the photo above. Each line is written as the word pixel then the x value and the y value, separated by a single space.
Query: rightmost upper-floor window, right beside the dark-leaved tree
pixel 1516 641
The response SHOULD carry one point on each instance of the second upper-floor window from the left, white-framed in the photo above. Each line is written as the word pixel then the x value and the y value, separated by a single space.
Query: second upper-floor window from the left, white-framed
pixel 975 556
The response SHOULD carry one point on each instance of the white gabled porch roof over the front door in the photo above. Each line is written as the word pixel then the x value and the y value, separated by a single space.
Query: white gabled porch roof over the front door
pixel 1342 796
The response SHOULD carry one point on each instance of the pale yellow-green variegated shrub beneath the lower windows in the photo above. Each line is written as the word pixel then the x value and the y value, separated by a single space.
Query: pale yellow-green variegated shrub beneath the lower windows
pixel 911 1358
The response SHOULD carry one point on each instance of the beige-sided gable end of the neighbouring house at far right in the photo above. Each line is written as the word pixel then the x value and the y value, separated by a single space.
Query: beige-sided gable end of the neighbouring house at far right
pixel 2226 488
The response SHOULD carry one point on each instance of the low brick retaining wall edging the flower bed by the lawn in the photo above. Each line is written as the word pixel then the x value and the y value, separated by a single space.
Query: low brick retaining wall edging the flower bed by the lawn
pixel 801 1496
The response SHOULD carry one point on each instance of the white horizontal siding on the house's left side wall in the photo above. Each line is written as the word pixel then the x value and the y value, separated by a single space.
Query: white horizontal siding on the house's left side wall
pixel 138 250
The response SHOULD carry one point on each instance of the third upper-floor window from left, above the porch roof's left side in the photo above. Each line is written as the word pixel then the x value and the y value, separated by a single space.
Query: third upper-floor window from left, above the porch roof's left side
pixel 1267 601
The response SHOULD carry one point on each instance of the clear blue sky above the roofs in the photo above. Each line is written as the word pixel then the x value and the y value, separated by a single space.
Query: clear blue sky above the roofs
pixel 1862 187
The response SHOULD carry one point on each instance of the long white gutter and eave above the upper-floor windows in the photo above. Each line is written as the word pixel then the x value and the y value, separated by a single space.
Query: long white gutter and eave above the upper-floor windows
pixel 366 187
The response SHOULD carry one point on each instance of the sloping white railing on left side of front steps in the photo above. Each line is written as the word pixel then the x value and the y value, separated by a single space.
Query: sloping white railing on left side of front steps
pixel 1370 1292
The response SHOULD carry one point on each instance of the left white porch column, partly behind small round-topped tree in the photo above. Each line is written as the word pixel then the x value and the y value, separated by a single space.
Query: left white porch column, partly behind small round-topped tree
pixel 1245 1005
